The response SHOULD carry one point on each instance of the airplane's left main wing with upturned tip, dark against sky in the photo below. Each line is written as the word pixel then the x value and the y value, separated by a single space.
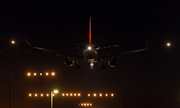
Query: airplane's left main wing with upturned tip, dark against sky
pixel 57 53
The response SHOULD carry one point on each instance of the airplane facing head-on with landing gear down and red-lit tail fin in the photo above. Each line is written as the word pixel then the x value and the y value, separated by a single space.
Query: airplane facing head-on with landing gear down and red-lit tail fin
pixel 90 54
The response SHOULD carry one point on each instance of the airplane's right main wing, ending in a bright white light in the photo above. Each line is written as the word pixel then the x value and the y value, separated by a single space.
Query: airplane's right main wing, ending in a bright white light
pixel 108 58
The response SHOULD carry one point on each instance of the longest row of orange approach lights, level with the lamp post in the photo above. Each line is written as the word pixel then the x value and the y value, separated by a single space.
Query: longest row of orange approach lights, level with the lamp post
pixel 74 94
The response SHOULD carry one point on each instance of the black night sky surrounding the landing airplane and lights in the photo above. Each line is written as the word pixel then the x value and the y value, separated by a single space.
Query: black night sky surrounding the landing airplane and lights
pixel 145 80
